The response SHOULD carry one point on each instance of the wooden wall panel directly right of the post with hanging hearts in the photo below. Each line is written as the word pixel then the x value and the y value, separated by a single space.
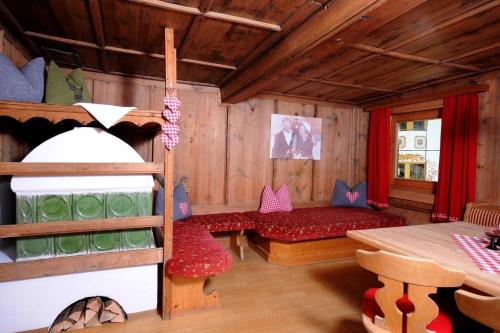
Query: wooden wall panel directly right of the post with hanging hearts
pixel 200 159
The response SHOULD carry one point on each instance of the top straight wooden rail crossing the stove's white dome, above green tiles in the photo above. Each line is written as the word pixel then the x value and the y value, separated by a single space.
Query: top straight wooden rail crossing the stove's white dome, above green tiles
pixel 55 168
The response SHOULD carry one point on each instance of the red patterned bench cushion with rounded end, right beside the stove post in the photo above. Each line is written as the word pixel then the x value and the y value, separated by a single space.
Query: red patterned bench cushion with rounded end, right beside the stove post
pixel 196 253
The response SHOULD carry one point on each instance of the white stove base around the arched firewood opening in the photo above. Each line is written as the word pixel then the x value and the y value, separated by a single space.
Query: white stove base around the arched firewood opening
pixel 35 303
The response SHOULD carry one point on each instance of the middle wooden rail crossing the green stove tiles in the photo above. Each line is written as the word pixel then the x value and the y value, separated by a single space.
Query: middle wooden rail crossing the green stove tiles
pixel 70 227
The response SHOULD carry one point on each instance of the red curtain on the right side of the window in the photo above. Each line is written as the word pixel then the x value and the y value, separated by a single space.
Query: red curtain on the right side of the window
pixel 457 161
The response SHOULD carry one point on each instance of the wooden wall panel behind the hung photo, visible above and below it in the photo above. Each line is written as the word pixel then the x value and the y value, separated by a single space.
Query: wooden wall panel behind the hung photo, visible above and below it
pixel 297 174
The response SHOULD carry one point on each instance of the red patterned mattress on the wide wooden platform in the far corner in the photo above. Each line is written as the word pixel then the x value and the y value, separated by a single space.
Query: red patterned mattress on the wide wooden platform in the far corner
pixel 322 222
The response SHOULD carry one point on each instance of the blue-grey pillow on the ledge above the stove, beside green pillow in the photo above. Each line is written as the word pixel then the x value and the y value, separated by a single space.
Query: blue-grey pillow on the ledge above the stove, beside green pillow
pixel 21 85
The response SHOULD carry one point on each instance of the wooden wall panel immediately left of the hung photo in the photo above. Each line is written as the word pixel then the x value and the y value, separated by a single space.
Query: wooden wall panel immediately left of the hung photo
pixel 249 165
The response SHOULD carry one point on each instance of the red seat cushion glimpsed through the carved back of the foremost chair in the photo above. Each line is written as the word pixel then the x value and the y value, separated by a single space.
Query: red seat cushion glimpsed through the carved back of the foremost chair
pixel 442 323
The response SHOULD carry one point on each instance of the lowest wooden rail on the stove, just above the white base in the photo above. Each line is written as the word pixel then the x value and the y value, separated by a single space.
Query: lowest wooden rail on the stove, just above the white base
pixel 30 269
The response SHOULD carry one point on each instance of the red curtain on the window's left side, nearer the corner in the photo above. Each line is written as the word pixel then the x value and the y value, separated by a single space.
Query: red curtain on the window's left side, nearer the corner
pixel 379 155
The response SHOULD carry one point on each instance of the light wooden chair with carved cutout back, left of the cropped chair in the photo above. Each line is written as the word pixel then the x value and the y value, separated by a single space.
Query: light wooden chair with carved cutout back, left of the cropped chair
pixel 404 299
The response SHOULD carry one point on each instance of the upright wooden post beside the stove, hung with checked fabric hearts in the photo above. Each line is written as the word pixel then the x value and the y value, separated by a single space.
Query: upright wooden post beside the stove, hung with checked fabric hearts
pixel 170 82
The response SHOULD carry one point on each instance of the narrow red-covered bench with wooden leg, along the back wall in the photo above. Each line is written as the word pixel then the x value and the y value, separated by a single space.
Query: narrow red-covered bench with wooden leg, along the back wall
pixel 236 223
